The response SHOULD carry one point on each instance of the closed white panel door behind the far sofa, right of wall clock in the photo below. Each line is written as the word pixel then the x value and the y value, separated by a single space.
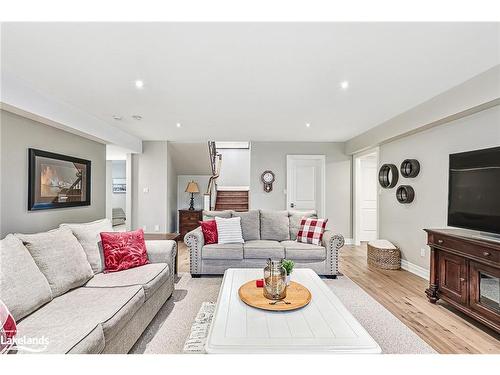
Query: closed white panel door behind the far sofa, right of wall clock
pixel 306 183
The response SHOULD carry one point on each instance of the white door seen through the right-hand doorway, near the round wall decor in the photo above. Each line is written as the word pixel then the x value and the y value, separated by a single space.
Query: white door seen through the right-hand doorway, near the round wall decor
pixel 367 198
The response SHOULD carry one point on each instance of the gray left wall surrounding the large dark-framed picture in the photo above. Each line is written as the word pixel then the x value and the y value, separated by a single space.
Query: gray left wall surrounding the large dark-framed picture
pixel 17 135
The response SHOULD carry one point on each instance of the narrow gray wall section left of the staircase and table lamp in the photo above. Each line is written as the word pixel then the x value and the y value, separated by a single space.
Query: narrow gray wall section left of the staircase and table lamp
pixel 150 171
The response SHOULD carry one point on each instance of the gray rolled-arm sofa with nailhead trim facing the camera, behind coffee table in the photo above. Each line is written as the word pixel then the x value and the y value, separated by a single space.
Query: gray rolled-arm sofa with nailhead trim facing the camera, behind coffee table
pixel 267 234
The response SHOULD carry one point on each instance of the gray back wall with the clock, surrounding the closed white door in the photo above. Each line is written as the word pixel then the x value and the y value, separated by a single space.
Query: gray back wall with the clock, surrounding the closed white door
pixel 272 156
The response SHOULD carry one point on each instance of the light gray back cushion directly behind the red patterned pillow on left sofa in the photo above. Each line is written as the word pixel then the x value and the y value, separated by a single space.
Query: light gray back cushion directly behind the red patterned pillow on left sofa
pixel 88 234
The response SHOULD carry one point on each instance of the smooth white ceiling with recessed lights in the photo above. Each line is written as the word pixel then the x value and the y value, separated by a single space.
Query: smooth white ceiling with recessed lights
pixel 247 81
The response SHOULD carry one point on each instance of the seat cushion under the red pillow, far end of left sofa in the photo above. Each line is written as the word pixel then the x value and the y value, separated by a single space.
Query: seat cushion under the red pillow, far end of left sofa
pixel 150 277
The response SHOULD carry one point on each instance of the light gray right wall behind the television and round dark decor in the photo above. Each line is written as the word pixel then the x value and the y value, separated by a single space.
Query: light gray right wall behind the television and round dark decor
pixel 403 224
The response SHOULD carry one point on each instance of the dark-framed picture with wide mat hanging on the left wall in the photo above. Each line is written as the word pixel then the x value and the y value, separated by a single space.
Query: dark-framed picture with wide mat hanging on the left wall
pixel 57 181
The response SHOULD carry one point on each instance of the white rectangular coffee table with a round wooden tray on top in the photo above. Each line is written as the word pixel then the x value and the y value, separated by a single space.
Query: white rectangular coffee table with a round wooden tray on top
pixel 323 326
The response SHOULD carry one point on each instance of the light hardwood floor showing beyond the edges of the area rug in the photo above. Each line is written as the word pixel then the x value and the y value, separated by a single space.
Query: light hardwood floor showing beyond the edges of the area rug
pixel 402 293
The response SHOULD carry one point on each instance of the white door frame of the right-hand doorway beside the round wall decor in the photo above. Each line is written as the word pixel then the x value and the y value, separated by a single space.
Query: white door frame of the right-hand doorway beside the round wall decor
pixel 356 163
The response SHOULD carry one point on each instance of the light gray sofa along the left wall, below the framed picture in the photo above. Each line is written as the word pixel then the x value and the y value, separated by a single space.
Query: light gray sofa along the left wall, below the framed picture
pixel 53 284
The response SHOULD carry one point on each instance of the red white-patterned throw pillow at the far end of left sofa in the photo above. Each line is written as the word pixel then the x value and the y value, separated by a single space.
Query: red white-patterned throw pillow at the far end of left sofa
pixel 123 250
